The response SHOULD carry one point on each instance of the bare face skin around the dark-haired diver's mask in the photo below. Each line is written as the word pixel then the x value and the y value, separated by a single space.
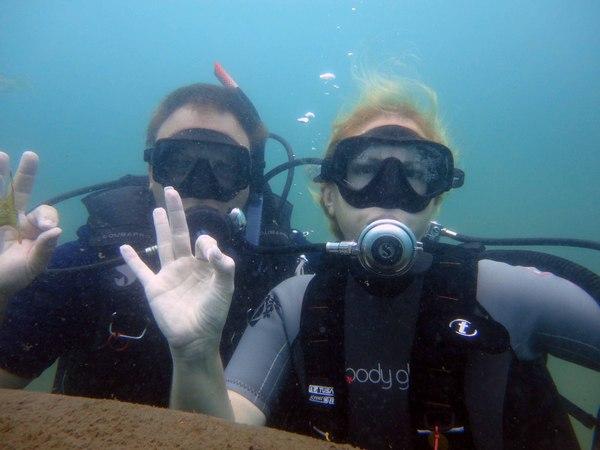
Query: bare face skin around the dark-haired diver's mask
pixel 185 118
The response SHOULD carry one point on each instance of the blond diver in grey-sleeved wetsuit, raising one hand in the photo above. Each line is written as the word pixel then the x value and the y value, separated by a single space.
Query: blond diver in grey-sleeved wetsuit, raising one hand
pixel 398 340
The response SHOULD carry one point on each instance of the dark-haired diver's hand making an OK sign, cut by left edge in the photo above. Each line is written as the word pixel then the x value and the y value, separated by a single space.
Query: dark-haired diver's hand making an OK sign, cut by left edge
pixel 26 241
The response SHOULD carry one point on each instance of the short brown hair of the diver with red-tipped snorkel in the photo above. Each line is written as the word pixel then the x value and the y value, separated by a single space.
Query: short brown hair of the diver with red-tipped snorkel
pixel 202 95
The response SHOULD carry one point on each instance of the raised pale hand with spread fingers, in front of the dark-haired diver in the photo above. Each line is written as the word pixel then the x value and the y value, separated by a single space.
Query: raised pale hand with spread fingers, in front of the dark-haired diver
pixel 191 294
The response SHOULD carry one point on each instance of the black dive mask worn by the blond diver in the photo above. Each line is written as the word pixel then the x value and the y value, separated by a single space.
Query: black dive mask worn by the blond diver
pixel 391 167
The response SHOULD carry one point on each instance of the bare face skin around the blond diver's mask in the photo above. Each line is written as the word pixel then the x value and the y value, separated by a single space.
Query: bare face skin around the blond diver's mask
pixel 351 221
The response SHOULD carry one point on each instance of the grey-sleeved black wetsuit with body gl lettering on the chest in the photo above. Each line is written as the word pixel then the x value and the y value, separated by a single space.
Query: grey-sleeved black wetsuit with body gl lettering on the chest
pixel 541 312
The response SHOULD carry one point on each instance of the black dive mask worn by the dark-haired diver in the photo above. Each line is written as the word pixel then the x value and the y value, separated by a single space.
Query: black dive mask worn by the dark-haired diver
pixel 201 163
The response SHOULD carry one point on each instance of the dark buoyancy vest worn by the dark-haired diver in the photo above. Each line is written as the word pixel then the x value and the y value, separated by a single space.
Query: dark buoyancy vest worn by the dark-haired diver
pixel 117 313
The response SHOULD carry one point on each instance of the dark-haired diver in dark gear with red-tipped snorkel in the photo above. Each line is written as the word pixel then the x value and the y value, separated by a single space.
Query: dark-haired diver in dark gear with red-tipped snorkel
pixel 208 142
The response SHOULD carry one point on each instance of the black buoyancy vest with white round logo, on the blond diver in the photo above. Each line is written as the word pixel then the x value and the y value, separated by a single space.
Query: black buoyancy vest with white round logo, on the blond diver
pixel 467 388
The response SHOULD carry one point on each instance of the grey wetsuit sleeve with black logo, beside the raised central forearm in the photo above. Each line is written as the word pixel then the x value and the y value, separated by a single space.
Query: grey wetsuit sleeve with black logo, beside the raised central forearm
pixel 261 363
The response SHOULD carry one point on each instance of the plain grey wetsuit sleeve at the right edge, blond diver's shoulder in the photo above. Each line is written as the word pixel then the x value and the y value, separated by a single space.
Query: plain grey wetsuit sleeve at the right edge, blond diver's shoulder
pixel 543 313
